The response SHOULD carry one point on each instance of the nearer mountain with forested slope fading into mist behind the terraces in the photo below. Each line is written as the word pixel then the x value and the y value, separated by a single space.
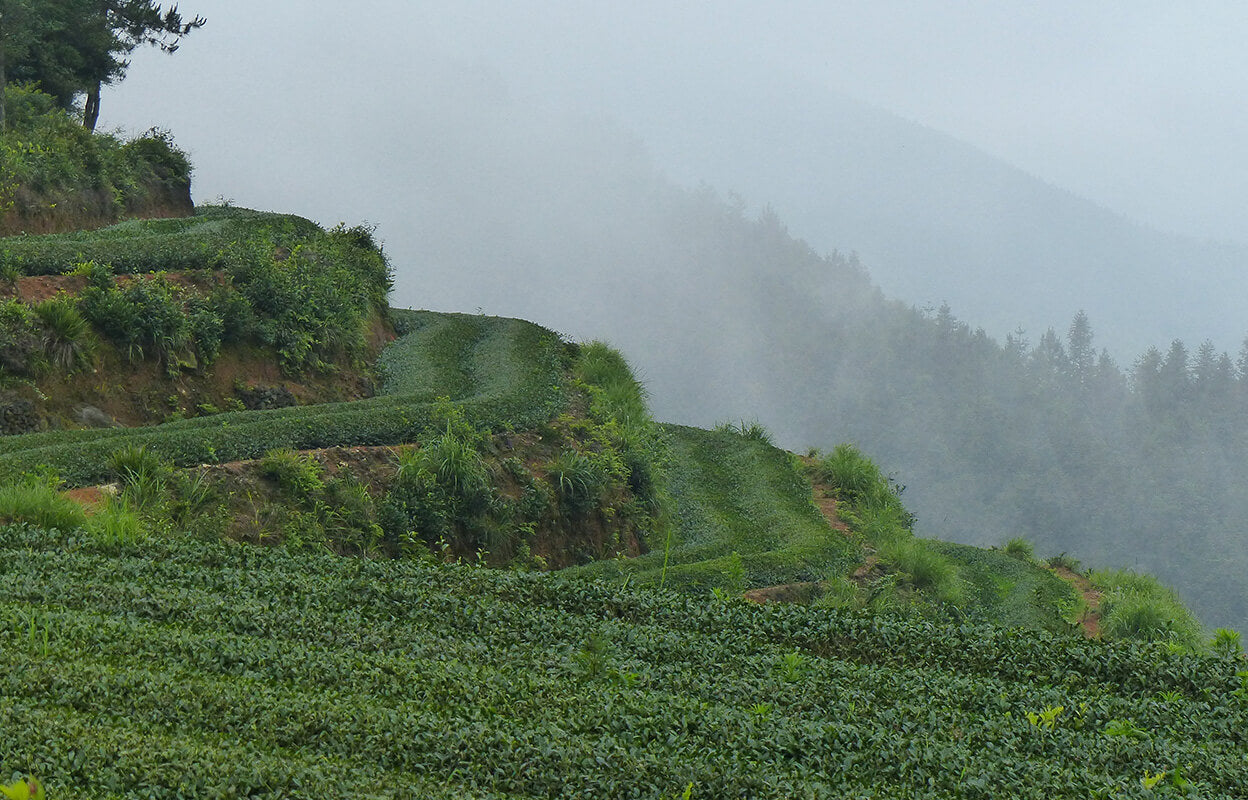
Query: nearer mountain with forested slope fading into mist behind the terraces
pixel 565 220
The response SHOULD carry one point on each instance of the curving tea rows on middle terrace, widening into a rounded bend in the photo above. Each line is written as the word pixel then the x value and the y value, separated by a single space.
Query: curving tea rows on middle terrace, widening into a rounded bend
pixel 515 378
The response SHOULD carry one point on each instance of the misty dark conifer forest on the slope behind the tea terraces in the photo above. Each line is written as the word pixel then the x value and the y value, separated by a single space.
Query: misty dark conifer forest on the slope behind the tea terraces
pixel 1139 466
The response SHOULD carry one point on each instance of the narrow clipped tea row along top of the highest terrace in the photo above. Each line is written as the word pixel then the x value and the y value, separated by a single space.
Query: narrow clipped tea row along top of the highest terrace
pixel 215 239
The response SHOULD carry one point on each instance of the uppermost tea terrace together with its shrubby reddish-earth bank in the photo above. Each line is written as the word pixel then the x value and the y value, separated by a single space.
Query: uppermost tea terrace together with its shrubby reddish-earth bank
pixel 153 320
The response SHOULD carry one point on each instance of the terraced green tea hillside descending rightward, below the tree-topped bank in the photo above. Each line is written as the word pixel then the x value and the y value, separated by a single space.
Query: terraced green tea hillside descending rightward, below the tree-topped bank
pixel 486 572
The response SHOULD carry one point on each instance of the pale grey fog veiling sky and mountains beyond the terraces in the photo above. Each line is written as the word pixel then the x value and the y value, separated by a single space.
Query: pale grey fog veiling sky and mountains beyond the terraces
pixel 602 173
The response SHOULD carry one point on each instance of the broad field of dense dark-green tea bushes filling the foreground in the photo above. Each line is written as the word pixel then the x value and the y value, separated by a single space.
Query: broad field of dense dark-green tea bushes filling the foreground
pixel 188 670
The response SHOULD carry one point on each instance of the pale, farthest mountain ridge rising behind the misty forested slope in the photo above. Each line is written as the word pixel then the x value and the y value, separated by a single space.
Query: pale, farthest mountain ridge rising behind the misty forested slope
pixel 940 222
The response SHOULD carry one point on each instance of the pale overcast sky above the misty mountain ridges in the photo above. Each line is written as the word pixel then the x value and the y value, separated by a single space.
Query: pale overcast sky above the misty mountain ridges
pixel 1139 107
